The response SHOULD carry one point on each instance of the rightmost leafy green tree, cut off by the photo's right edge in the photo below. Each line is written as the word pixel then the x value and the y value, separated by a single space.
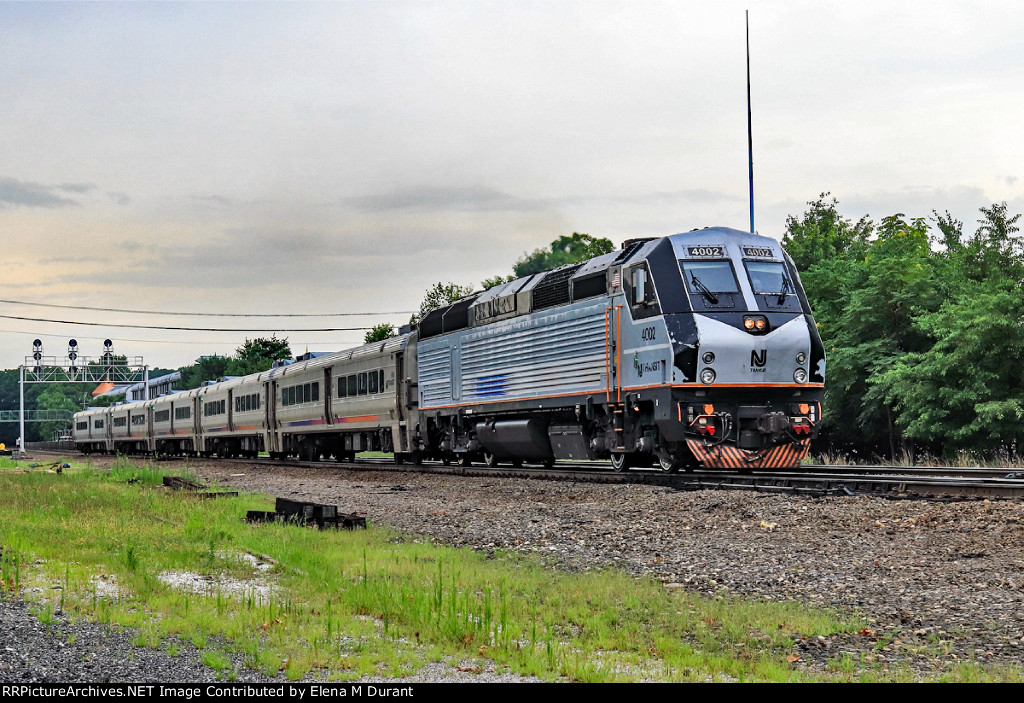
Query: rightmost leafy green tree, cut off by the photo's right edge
pixel 964 391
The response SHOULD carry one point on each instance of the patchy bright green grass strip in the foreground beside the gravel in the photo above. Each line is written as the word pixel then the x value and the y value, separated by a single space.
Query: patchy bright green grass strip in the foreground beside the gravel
pixel 345 605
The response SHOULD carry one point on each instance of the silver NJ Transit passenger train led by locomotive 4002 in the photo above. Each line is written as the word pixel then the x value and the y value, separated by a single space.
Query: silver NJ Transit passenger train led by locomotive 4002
pixel 695 349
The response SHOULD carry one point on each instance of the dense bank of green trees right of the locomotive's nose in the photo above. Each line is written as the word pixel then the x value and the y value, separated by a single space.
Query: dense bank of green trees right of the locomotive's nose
pixel 918 327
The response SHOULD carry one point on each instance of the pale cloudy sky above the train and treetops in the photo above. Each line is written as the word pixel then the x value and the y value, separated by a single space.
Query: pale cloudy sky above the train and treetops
pixel 342 158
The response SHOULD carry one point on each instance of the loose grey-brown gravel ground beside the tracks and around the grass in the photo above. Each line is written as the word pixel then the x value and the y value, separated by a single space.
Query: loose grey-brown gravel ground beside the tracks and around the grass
pixel 936 584
